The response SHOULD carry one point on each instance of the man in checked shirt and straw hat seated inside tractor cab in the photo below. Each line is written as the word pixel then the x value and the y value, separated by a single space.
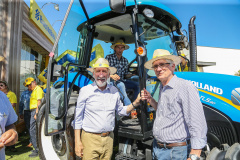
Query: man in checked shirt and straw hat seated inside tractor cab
pixel 121 63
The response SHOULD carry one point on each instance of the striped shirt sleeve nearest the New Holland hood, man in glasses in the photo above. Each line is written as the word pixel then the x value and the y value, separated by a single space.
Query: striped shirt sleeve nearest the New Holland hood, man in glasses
pixel 194 117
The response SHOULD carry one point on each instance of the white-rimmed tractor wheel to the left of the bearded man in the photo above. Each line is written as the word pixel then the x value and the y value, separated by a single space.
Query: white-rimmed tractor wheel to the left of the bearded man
pixel 52 147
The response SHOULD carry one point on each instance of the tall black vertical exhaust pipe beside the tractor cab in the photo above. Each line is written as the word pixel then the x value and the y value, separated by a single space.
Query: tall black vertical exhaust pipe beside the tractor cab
pixel 192 44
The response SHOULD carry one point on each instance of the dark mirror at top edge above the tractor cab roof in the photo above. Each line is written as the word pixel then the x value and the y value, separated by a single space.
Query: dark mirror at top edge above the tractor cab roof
pixel 118 6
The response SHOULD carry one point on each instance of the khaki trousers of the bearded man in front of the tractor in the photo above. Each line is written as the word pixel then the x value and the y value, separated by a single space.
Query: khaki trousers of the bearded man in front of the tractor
pixel 97 147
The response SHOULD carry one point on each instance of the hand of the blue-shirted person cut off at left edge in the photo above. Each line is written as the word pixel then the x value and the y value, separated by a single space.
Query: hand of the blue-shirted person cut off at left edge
pixel 10 137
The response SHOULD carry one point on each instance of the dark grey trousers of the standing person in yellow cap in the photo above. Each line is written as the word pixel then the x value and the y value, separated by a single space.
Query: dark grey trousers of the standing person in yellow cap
pixel 33 130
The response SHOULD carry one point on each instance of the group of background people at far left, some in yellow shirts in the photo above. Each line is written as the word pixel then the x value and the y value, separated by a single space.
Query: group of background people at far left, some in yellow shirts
pixel 30 99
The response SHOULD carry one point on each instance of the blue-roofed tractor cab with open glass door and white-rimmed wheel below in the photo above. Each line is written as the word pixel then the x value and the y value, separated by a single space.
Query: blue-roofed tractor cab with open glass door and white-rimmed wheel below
pixel 144 26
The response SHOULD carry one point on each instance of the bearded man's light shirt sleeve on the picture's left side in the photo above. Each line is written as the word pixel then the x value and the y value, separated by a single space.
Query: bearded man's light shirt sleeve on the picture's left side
pixel 79 111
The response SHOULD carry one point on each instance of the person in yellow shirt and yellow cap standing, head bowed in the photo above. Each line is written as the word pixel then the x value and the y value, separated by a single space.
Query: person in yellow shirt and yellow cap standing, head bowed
pixel 35 101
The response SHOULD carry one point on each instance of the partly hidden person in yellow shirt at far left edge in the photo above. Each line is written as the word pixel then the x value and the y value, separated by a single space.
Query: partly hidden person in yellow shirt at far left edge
pixel 11 95
